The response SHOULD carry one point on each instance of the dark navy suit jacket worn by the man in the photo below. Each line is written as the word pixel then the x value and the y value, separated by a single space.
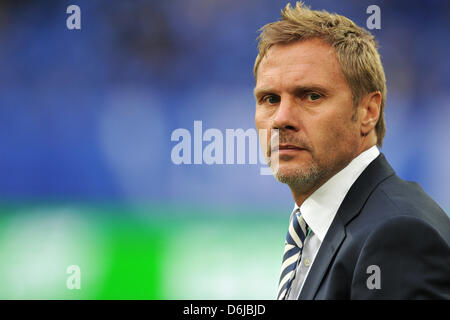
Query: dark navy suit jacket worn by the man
pixel 393 225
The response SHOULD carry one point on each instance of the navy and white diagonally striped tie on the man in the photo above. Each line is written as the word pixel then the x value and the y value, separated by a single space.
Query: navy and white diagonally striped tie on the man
pixel 292 252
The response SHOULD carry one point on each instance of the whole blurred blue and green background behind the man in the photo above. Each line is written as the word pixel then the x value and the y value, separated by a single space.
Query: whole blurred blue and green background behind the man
pixel 86 117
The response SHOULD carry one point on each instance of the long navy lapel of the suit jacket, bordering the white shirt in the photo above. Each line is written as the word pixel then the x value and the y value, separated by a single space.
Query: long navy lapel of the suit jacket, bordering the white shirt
pixel 377 171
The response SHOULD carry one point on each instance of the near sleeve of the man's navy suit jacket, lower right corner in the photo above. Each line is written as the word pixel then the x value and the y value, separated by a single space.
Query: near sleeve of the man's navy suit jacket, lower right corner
pixel 411 257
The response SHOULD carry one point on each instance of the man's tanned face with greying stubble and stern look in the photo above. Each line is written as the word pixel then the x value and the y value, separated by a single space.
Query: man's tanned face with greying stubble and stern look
pixel 302 92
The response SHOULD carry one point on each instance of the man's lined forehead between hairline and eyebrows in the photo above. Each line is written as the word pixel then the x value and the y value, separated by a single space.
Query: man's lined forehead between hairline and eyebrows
pixel 302 62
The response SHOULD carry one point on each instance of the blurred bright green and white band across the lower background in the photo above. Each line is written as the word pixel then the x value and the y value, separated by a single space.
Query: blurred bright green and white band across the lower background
pixel 138 253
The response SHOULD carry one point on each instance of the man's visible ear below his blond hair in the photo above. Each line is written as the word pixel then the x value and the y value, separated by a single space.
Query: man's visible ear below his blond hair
pixel 369 109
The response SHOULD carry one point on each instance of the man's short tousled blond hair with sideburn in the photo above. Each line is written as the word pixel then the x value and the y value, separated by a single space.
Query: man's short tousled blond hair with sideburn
pixel 355 47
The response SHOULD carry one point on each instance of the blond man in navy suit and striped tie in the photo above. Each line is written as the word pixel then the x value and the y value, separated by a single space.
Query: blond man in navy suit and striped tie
pixel 357 230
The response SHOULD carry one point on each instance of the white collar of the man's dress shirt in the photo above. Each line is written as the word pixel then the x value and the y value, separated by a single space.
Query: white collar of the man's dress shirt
pixel 319 208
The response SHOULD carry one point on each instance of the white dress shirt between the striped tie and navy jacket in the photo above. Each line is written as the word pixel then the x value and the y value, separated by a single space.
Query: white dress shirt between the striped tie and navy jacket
pixel 319 210
